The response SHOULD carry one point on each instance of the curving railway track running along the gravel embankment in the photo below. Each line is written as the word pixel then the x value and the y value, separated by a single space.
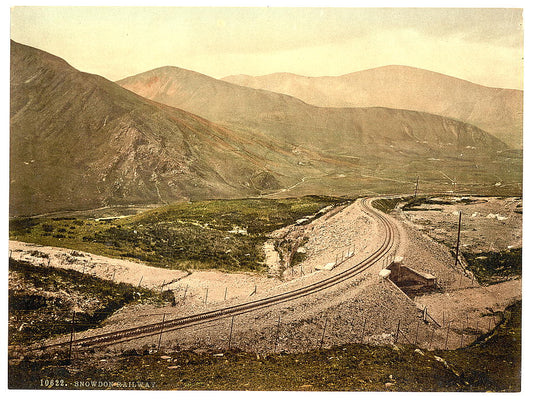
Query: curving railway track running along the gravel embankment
pixel 133 333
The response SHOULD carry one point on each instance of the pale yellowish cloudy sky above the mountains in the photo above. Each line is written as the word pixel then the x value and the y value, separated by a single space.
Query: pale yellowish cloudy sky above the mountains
pixel 480 45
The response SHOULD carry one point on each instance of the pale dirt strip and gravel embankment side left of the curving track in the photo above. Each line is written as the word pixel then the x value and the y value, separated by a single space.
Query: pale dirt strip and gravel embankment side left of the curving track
pixel 330 237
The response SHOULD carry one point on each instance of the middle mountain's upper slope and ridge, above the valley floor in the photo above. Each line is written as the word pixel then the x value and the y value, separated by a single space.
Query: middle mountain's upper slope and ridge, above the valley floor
pixel 287 119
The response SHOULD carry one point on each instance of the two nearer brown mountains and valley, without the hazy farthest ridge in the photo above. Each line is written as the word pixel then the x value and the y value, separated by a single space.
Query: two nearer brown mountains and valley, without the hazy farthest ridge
pixel 80 141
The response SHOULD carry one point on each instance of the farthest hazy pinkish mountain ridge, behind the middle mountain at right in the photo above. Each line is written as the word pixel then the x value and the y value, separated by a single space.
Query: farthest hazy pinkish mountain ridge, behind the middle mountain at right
pixel 496 110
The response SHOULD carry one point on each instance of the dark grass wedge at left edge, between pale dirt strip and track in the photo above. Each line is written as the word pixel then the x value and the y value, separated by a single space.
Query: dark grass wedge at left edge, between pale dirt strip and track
pixel 42 304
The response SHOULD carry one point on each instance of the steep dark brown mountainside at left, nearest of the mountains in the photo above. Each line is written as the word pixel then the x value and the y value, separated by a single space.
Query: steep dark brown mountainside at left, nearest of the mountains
pixel 80 141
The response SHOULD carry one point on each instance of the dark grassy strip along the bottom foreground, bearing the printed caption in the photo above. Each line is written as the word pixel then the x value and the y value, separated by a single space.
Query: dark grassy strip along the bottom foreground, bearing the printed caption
pixel 491 364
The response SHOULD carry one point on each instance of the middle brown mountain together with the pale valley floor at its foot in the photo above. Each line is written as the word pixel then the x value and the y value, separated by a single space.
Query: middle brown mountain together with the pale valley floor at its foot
pixel 348 150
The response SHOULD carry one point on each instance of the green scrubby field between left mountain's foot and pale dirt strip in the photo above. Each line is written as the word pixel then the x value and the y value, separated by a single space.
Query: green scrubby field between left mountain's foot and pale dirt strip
pixel 204 235
